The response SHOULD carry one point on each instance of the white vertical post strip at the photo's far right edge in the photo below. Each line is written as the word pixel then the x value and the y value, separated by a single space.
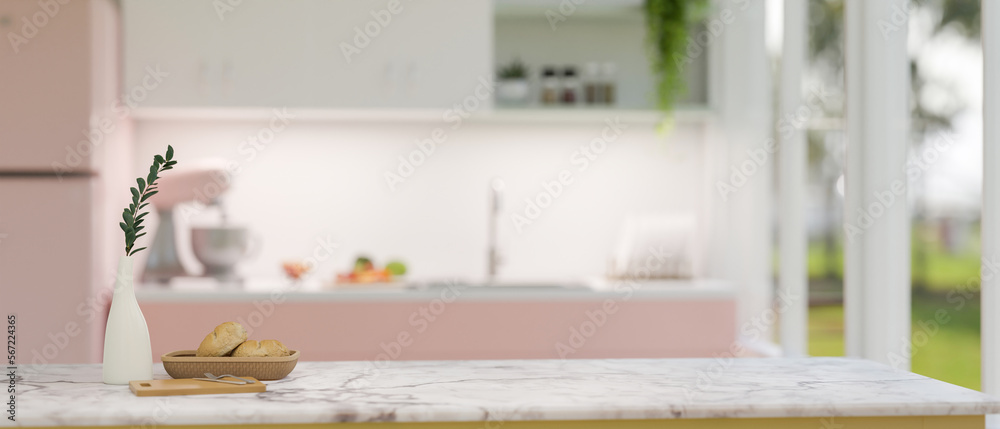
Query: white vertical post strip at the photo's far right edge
pixel 991 196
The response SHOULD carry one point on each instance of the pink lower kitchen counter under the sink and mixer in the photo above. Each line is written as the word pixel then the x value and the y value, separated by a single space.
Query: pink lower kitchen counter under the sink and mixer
pixel 651 320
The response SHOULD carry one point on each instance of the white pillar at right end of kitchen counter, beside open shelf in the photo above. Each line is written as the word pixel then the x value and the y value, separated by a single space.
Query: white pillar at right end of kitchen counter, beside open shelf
pixel 746 113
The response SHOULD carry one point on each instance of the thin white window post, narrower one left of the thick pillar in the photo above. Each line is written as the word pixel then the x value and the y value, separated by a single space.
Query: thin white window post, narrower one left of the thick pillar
pixel 792 161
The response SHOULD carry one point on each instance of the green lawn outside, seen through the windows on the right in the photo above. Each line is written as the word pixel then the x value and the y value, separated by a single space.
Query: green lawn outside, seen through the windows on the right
pixel 950 352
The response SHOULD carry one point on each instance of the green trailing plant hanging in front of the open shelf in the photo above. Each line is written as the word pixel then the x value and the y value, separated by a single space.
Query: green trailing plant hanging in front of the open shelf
pixel 667 36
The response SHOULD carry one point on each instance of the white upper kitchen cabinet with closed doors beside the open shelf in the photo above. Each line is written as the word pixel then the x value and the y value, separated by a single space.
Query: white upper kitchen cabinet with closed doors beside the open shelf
pixel 262 53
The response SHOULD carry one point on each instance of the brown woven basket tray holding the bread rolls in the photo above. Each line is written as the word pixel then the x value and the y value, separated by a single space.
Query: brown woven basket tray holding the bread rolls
pixel 184 364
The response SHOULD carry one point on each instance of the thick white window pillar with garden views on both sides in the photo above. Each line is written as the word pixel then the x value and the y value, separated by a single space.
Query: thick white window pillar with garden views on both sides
pixel 876 216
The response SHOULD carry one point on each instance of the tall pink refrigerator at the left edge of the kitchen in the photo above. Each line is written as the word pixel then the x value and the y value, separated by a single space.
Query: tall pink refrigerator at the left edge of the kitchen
pixel 64 166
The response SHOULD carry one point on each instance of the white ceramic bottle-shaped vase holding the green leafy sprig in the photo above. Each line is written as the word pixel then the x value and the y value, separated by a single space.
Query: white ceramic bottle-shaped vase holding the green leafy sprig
pixel 127 351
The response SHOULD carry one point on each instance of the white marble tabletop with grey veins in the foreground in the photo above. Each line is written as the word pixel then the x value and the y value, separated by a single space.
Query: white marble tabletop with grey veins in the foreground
pixel 438 391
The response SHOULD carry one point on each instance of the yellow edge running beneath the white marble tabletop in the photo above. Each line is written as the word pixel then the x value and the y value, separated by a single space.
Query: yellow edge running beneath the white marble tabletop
pixel 908 422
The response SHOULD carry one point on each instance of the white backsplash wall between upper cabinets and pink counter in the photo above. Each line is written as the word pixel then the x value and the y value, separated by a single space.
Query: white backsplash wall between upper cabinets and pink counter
pixel 320 178
